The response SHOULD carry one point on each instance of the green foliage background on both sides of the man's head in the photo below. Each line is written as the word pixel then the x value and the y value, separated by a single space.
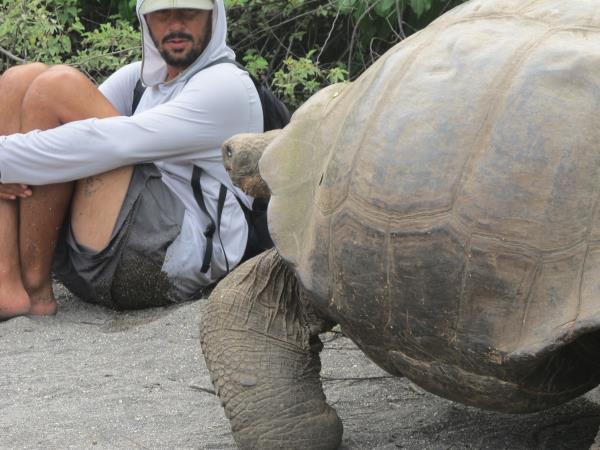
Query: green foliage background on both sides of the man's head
pixel 297 46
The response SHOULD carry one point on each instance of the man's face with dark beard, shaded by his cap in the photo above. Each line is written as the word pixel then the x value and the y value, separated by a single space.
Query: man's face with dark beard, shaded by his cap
pixel 180 35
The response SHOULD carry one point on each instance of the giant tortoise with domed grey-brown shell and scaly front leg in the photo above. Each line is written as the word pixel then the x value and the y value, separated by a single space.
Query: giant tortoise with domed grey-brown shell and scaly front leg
pixel 443 209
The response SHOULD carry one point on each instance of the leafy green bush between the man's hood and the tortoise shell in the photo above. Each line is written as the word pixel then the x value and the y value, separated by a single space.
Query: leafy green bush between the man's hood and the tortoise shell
pixel 303 45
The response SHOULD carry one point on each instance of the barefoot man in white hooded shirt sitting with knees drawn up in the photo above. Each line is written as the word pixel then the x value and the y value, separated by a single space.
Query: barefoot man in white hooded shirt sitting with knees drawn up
pixel 142 189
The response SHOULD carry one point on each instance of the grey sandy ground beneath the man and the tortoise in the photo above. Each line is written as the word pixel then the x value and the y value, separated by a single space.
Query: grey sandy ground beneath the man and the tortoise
pixel 94 378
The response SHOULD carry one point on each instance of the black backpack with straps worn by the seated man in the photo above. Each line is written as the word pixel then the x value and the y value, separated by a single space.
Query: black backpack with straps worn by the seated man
pixel 275 116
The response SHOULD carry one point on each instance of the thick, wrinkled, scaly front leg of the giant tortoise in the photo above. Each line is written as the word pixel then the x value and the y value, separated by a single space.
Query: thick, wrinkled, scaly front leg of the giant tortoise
pixel 261 347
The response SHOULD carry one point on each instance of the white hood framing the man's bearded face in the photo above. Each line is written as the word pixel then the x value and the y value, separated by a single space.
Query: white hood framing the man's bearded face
pixel 154 68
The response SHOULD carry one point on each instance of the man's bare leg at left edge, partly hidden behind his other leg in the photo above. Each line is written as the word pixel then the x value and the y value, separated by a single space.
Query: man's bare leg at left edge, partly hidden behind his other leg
pixel 14 299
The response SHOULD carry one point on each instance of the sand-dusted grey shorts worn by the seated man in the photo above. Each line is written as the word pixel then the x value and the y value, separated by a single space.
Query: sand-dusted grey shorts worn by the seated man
pixel 127 273
